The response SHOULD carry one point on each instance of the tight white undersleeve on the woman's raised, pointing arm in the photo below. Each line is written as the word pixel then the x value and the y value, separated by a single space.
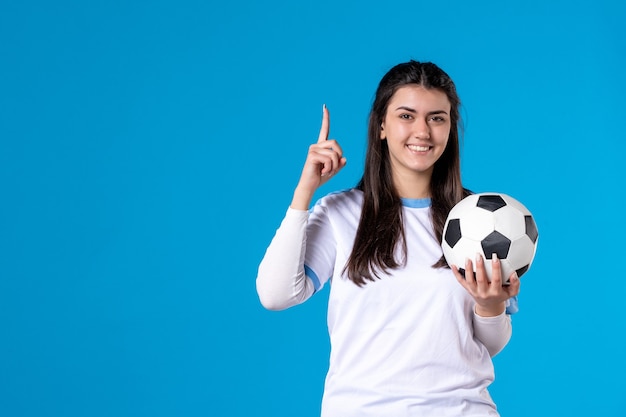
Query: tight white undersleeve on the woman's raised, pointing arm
pixel 281 280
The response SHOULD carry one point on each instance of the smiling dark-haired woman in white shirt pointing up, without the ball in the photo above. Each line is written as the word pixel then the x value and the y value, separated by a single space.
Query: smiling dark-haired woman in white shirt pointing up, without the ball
pixel 409 335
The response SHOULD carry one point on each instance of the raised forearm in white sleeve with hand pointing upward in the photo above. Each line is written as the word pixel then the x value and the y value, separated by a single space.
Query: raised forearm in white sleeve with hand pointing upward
pixel 281 282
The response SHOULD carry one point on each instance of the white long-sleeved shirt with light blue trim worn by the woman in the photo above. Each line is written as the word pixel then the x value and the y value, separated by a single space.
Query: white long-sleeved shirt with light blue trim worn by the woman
pixel 409 344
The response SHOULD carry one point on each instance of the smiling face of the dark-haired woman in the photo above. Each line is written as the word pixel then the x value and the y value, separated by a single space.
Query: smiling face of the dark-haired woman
pixel 417 127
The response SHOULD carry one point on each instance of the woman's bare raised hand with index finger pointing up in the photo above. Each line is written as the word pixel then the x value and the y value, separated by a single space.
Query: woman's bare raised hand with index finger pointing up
pixel 324 160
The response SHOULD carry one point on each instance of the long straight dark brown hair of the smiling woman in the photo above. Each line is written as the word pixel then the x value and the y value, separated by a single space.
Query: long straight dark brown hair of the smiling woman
pixel 381 227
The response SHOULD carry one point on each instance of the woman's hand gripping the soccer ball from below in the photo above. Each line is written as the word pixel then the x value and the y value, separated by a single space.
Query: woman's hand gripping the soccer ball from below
pixel 491 296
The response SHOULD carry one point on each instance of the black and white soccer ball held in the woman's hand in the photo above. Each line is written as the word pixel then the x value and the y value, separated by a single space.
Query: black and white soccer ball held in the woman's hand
pixel 488 223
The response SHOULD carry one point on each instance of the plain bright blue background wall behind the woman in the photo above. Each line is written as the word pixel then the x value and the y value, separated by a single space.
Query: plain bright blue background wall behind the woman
pixel 149 151
